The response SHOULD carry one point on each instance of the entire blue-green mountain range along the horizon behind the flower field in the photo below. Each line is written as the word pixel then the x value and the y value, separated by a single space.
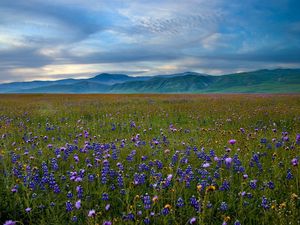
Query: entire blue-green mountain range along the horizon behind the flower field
pixel 260 81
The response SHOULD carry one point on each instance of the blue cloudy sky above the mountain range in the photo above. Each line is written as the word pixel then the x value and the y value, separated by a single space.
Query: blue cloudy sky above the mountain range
pixel 56 39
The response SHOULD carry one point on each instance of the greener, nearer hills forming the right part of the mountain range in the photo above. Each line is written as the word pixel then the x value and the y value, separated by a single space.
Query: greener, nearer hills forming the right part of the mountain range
pixel 263 81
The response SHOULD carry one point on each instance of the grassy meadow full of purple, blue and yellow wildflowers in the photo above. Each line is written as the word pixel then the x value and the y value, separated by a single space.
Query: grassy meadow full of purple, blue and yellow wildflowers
pixel 149 159
